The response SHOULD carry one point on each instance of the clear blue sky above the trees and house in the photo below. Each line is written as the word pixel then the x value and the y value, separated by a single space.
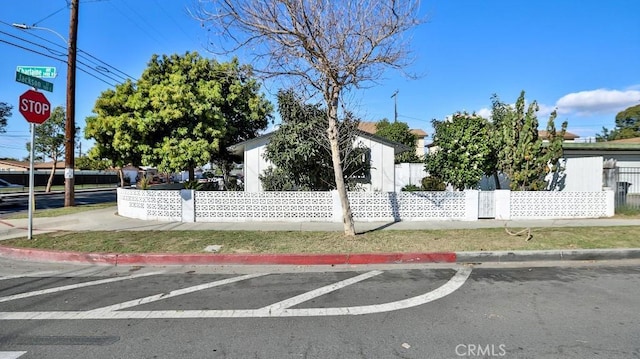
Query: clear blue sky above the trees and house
pixel 581 57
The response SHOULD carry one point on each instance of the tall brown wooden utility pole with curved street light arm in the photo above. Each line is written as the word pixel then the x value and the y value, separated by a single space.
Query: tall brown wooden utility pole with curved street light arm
pixel 70 125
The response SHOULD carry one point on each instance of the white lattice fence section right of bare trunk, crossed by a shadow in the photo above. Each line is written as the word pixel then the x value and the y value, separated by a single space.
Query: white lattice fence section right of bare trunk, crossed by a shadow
pixel 376 206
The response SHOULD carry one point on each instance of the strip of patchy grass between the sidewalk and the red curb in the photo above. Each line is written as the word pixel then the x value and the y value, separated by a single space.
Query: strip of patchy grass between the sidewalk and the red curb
pixel 335 242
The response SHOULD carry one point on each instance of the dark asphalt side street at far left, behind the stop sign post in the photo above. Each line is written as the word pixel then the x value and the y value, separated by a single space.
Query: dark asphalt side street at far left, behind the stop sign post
pixel 10 205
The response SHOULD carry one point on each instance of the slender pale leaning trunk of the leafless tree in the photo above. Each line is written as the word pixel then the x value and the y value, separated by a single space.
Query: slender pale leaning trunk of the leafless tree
pixel 332 133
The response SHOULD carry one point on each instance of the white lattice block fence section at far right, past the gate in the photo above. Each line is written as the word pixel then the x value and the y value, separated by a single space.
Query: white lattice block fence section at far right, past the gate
pixel 560 204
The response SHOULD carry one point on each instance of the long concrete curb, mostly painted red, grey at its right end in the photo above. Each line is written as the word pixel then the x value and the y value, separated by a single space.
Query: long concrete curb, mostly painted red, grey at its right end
pixel 315 259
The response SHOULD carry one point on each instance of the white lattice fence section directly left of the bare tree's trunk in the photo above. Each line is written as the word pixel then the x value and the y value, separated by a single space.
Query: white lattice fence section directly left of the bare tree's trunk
pixel 263 206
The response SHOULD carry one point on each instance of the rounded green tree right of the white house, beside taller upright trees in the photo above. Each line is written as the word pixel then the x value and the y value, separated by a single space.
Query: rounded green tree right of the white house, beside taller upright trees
pixel 463 150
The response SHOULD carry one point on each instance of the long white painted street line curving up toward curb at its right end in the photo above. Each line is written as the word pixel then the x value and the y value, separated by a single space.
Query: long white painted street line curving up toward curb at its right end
pixel 452 285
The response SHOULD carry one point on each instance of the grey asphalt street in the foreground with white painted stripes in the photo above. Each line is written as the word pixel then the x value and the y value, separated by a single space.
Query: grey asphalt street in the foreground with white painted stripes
pixel 577 310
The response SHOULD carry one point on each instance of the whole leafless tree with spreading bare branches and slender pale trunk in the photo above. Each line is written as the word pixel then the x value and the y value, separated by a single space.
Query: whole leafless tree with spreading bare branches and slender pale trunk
pixel 330 47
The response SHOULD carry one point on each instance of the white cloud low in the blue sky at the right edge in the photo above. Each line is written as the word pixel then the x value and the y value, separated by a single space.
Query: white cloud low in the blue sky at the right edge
pixel 598 101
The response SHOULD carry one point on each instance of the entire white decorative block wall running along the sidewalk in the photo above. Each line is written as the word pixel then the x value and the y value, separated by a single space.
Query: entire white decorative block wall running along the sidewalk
pixel 220 206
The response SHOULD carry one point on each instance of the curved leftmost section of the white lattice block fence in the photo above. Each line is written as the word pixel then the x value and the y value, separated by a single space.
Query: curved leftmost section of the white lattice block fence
pixel 150 205
